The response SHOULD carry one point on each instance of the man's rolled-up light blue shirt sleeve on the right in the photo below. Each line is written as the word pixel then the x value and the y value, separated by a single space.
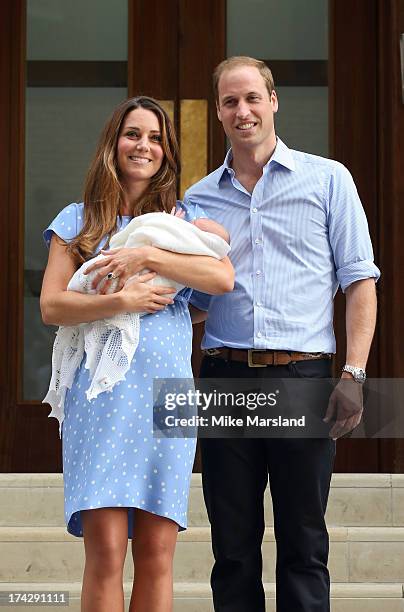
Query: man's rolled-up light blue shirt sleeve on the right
pixel 348 231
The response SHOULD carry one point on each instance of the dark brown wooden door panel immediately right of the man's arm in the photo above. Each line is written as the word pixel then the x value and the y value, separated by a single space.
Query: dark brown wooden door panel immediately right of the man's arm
pixel 353 135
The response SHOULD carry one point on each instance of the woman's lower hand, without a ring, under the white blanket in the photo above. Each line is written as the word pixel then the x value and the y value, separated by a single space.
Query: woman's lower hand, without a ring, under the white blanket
pixel 139 296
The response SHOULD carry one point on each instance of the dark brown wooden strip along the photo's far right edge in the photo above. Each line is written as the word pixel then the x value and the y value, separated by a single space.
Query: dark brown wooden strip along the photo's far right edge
pixel 390 17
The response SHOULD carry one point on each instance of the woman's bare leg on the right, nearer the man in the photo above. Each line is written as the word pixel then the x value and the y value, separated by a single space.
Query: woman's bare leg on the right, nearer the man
pixel 153 546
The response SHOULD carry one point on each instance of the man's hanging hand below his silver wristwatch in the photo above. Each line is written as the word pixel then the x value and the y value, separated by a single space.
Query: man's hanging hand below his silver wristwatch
pixel 345 406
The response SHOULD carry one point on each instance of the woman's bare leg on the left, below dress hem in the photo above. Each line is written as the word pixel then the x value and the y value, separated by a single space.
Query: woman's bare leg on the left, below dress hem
pixel 105 533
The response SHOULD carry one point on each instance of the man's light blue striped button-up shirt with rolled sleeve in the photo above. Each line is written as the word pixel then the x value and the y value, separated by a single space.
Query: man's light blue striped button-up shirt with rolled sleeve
pixel 294 240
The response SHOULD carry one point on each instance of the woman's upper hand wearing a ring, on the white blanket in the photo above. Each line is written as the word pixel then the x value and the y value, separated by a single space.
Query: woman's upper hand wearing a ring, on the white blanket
pixel 121 263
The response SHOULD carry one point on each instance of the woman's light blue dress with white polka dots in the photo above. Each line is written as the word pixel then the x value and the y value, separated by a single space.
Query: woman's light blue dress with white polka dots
pixel 110 457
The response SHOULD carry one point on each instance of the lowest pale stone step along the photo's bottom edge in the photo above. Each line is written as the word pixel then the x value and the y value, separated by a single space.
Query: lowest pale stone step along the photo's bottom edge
pixel 196 597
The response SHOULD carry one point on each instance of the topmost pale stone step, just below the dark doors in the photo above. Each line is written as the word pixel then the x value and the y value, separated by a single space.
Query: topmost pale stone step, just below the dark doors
pixel 355 500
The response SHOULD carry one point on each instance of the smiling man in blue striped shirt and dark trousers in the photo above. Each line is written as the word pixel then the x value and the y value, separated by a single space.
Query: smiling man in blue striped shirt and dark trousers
pixel 297 231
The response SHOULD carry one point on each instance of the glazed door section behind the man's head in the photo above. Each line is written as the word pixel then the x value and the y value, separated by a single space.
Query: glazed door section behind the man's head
pixel 293 35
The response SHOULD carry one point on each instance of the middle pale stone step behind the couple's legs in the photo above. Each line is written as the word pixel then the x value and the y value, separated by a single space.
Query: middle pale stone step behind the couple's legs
pixel 357 554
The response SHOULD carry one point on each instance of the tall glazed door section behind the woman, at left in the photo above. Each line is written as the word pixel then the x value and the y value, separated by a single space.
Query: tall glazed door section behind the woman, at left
pixel 62 128
